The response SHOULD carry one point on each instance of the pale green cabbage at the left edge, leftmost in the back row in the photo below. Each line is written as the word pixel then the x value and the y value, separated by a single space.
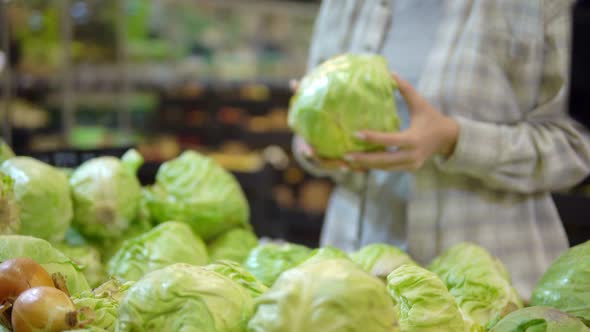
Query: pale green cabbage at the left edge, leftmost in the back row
pixel 43 196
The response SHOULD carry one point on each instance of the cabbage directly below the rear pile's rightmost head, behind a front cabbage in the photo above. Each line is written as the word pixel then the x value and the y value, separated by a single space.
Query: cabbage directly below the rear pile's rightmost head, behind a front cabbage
pixel 168 243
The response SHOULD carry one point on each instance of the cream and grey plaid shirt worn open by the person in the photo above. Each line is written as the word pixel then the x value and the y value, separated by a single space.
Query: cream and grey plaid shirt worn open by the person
pixel 500 68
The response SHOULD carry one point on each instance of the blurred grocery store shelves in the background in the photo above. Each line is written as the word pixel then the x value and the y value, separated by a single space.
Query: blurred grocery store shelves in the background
pixel 84 78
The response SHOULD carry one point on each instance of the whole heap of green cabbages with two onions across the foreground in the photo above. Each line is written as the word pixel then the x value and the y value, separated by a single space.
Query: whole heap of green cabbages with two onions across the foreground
pixel 205 270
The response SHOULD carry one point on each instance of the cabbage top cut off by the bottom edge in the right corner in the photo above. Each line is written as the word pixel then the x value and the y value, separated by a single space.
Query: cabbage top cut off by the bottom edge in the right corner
pixel 539 319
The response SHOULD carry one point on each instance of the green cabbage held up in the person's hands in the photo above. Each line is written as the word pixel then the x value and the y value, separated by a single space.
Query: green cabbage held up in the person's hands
pixel 343 95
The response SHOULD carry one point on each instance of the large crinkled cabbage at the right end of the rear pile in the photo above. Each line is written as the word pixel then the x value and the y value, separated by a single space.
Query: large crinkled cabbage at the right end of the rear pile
pixel 196 190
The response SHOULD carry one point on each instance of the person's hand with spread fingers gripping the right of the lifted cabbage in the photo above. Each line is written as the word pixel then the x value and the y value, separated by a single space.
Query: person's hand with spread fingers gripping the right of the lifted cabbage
pixel 431 133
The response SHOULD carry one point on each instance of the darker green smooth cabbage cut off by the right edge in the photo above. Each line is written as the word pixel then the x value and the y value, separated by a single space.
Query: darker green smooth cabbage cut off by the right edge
pixel 566 284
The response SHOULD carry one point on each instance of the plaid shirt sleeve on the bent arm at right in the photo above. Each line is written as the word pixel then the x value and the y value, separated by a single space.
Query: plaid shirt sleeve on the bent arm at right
pixel 548 151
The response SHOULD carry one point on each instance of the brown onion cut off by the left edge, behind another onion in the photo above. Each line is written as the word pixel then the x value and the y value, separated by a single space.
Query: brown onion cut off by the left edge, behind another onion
pixel 19 274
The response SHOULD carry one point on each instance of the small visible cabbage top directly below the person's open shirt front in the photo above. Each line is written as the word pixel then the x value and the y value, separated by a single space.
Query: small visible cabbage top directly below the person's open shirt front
pixel 380 259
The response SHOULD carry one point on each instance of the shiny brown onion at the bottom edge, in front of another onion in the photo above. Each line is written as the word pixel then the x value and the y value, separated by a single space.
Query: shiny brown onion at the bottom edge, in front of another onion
pixel 44 309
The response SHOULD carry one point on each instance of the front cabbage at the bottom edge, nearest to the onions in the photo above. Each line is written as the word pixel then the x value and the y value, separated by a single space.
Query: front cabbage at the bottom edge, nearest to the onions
pixel 184 297
